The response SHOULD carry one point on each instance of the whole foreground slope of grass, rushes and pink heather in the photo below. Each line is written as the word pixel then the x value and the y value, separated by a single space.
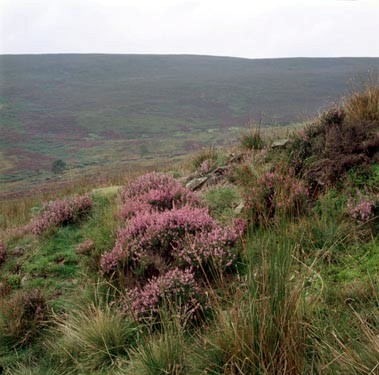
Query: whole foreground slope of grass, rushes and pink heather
pixel 270 268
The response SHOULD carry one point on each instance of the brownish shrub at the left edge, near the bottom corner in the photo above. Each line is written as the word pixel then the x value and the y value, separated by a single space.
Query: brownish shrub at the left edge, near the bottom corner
pixel 23 317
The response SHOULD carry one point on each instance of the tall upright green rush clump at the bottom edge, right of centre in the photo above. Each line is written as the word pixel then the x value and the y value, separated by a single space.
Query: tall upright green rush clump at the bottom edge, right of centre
pixel 265 330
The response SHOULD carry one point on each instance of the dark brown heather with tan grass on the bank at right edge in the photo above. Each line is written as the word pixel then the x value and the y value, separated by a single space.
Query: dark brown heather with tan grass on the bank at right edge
pixel 341 139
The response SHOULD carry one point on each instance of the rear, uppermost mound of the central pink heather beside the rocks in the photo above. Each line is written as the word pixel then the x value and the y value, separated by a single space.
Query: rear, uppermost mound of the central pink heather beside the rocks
pixel 154 192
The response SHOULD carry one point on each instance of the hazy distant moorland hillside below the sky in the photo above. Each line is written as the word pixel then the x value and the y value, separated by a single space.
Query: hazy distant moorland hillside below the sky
pixel 105 109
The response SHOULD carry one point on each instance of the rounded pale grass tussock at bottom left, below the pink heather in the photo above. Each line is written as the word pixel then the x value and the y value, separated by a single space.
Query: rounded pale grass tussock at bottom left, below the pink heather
pixel 96 338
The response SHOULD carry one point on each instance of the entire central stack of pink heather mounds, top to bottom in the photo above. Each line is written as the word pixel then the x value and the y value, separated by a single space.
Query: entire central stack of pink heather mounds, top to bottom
pixel 166 247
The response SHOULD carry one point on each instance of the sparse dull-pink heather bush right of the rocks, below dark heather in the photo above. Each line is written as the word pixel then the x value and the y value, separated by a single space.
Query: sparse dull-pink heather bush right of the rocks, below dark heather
pixel 277 193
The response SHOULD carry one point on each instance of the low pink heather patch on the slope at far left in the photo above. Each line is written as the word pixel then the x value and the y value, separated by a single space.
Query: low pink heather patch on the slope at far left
pixel 61 212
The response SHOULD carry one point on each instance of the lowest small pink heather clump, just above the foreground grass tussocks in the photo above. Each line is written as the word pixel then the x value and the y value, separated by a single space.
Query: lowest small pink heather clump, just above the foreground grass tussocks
pixel 176 285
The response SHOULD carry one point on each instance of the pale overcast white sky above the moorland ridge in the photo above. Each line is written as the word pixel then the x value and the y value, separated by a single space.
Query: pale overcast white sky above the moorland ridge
pixel 240 28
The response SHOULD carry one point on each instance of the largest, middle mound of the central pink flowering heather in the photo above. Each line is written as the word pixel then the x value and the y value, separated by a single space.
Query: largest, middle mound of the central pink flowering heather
pixel 167 236
